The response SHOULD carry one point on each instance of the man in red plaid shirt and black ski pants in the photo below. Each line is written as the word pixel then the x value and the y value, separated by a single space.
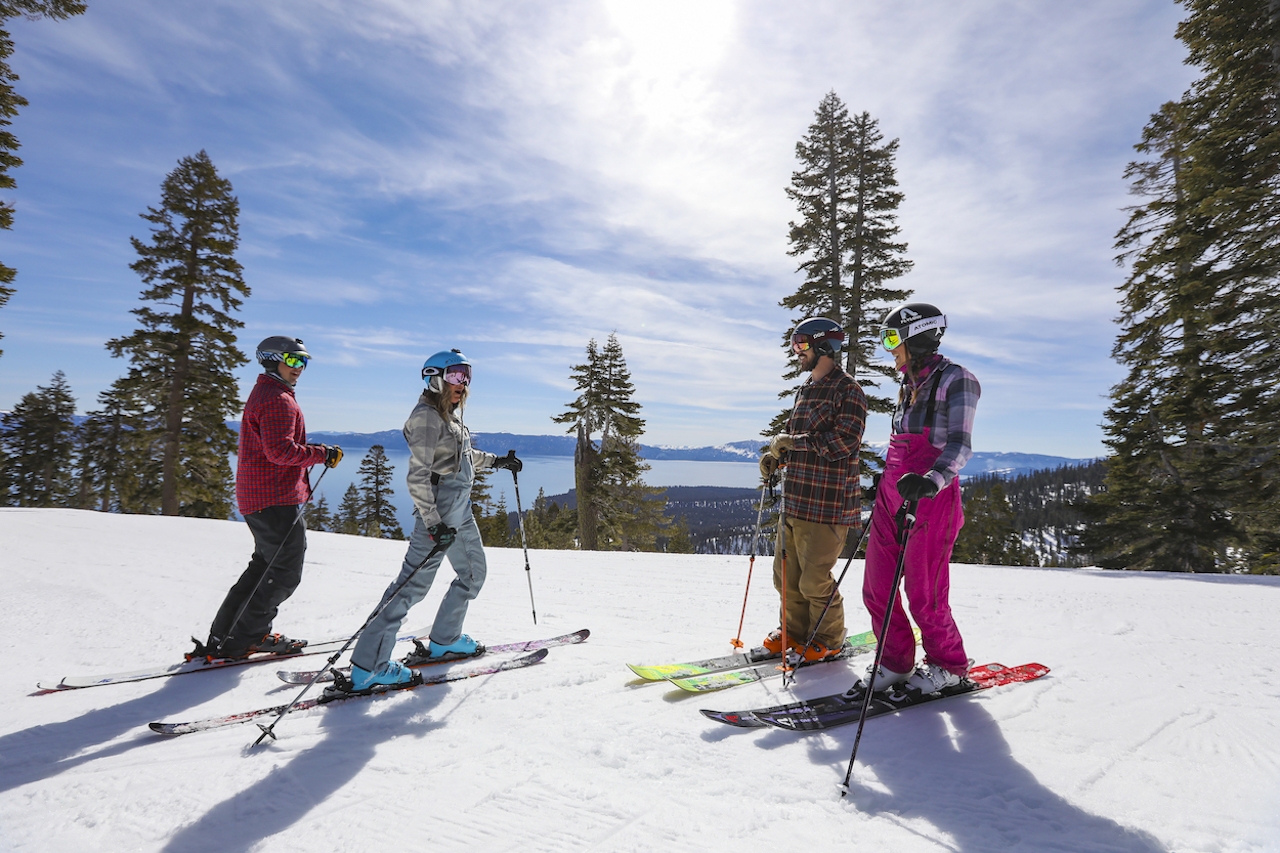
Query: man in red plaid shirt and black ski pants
pixel 272 487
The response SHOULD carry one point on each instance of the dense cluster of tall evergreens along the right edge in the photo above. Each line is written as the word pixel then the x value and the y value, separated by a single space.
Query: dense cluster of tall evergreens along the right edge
pixel 1194 426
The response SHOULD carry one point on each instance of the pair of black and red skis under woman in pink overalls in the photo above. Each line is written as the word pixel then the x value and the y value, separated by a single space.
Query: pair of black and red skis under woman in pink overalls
pixel 836 710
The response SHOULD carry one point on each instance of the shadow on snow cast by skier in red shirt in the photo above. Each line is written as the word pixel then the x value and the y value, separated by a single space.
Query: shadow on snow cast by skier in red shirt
pixel 45 751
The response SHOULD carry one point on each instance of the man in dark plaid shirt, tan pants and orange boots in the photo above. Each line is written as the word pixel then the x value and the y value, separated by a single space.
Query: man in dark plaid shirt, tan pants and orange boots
pixel 821 492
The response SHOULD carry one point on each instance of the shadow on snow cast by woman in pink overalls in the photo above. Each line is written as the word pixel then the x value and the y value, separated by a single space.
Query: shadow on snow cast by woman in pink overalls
pixel 968 784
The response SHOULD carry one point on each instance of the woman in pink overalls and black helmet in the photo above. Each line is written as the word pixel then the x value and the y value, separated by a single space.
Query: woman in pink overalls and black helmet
pixel 930 444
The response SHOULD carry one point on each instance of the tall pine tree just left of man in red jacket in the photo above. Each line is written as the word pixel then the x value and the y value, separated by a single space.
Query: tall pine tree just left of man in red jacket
pixel 185 353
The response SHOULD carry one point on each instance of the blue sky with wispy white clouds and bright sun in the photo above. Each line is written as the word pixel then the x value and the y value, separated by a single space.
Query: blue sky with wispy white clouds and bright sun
pixel 515 179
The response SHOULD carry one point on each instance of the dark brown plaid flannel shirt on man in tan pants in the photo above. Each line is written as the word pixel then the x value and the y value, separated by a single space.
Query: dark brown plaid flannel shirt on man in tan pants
pixel 822 483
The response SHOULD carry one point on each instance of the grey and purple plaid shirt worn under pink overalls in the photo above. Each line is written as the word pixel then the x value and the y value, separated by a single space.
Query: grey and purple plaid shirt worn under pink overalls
pixel 954 412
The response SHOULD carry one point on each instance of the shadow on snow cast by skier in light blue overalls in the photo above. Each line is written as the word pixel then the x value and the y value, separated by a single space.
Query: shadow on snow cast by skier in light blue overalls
pixel 298 784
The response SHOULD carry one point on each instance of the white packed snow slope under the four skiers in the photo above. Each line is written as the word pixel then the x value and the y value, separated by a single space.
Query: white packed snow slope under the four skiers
pixel 1159 728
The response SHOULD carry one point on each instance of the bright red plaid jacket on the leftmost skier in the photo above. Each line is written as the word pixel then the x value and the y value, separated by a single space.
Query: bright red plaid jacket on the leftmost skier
pixel 273 455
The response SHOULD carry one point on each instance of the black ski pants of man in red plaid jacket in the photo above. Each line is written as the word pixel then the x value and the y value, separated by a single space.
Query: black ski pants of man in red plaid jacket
pixel 278 533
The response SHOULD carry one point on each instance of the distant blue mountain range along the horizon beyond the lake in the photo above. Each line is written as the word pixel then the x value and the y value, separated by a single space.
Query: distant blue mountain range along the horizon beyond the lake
pixel 747 451
